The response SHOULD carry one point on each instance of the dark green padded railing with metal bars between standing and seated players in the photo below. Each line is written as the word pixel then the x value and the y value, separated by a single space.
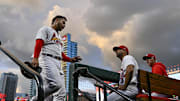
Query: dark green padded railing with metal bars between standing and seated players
pixel 98 74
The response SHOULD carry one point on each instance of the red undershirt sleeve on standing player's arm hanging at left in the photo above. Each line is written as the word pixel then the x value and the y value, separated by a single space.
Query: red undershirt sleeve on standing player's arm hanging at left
pixel 38 46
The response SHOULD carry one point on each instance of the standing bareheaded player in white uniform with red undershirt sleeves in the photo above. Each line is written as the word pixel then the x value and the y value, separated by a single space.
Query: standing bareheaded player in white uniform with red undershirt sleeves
pixel 48 53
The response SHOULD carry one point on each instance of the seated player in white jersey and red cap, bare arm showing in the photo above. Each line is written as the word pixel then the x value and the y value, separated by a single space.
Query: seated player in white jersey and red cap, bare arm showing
pixel 128 75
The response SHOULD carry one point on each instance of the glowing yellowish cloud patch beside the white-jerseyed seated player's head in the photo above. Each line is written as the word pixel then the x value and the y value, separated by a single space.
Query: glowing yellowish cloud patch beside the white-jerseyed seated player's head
pixel 118 37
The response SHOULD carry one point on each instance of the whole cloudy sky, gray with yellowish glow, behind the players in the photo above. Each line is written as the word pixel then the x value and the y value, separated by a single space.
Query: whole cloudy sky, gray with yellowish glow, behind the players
pixel 97 25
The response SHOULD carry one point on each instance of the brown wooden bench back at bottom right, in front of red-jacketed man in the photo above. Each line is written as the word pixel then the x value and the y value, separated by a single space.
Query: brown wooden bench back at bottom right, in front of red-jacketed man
pixel 156 83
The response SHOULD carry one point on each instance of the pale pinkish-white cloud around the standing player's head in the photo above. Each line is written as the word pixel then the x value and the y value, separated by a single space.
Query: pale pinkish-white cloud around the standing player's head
pixel 74 25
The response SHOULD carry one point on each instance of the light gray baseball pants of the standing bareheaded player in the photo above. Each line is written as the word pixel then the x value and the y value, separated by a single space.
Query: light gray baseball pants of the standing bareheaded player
pixel 53 78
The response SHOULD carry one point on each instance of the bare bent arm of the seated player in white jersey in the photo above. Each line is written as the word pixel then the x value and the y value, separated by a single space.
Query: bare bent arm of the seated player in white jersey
pixel 128 77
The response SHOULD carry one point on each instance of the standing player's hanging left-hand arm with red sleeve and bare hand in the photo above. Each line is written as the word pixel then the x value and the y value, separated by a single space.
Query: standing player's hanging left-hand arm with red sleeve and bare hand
pixel 37 50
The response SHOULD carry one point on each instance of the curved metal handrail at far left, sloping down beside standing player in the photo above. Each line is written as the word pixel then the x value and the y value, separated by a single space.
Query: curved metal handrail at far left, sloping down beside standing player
pixel 29 70
